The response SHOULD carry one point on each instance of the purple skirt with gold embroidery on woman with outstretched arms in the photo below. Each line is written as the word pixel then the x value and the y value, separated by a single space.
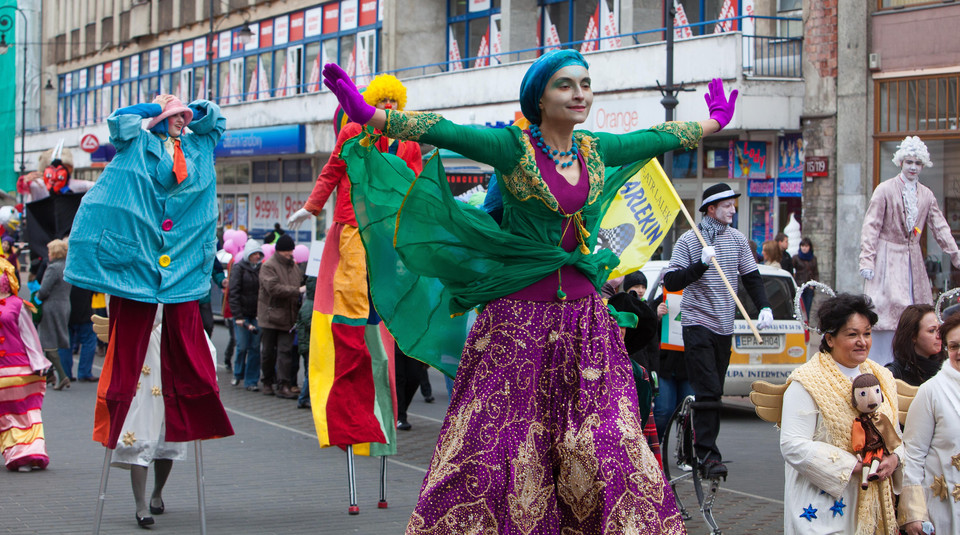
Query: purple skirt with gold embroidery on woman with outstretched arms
pixel 542 434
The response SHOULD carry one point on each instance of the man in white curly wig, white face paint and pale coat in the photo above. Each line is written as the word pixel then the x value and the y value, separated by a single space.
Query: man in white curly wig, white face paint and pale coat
pixel 890 257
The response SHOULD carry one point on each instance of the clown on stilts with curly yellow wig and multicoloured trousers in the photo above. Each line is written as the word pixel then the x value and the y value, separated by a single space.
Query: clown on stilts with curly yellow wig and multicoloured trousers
pixel 352 390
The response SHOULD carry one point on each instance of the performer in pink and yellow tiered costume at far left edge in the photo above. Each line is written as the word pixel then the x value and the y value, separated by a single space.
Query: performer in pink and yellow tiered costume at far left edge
pixel 21 387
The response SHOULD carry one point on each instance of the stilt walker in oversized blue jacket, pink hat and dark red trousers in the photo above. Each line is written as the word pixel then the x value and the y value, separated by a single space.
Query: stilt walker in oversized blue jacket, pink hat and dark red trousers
pixel 145 234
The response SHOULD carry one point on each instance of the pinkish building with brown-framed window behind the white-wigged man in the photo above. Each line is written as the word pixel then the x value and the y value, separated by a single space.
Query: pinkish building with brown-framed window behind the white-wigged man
pixel 875 73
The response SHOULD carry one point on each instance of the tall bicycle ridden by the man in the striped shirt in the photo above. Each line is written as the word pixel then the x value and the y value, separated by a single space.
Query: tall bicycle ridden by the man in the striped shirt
pixel 680 427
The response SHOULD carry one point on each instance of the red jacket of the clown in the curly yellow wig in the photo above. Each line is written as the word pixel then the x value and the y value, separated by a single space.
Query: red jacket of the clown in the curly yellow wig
pixel 334 174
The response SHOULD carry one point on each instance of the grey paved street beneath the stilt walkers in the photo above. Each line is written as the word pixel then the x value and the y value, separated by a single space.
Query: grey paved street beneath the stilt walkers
pixel 271 477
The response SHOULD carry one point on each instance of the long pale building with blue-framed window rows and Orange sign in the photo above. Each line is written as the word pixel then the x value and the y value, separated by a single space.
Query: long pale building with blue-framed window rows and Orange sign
pixel 260 61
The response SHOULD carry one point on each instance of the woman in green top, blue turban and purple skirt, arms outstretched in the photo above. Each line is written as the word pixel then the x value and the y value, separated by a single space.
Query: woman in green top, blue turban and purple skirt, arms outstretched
pixel 542 434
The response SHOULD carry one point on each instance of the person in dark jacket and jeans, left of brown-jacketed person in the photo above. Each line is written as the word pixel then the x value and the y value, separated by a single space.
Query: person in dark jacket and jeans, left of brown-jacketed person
pixel 244 291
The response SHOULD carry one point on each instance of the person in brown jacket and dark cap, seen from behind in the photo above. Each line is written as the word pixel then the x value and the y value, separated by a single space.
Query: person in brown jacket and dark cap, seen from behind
pixel 277 309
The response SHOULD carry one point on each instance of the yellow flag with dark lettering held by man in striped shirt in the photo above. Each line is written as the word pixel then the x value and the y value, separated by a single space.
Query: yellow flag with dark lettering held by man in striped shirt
pixel 639 218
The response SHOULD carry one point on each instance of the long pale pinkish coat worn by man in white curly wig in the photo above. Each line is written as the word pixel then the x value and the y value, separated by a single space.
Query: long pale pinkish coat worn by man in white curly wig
pixel 893 252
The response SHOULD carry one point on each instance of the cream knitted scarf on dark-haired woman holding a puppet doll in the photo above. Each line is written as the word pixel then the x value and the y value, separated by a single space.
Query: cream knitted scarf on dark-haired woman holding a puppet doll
pixel 831 390
